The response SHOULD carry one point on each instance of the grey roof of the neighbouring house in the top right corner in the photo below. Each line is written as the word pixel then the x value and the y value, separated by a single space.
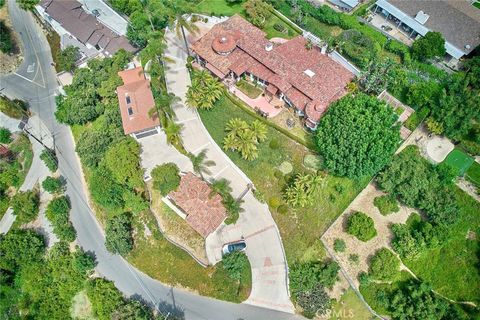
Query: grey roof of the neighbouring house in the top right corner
pixel 457 20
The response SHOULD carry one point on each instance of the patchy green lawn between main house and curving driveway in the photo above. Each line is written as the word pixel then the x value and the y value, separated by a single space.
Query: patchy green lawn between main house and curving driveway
pixel 300 228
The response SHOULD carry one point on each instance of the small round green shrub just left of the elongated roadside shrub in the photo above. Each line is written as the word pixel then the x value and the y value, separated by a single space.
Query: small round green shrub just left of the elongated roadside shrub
pixel 25 206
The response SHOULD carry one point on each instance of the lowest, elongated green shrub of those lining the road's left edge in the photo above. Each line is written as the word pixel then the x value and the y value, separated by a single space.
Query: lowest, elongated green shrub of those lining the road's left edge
pixel 58 213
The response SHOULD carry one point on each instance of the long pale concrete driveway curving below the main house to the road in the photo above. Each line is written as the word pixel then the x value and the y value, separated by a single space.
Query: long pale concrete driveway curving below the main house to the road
pixel 256 225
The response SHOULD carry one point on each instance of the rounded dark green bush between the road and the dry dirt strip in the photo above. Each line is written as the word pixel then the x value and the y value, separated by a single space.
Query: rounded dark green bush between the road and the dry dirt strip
pixel 118 234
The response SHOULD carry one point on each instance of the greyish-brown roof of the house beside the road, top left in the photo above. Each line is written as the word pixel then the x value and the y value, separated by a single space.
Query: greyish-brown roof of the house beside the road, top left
pixel 84 26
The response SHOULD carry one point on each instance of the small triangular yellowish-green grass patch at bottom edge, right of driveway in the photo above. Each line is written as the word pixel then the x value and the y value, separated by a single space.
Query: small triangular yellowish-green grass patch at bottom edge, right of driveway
pixel 350 307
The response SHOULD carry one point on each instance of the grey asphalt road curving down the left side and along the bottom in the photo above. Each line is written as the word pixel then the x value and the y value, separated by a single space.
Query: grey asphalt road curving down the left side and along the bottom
pixel 35 82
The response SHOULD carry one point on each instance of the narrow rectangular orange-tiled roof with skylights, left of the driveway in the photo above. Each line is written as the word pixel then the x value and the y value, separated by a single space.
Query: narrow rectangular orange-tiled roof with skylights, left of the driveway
pixel 135 99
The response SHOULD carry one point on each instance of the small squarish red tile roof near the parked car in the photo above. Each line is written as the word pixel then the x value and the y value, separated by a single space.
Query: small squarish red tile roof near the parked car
pixel 205 212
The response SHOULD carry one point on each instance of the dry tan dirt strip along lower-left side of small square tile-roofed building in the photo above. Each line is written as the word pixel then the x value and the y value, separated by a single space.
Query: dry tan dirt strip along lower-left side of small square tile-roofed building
pixel 177 229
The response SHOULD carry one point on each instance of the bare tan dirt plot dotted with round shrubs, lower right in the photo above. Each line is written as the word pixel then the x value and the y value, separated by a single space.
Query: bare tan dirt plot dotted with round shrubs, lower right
pixel 364 250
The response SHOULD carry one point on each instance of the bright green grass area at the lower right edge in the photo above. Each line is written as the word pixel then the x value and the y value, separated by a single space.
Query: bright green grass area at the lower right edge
pixel 452 268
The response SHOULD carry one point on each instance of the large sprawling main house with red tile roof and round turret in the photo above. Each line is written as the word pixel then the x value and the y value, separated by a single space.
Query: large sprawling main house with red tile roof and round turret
pixel 300 74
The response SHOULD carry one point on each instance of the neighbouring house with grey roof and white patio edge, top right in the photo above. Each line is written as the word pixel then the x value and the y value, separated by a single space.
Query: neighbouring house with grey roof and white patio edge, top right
pixel 457 20
